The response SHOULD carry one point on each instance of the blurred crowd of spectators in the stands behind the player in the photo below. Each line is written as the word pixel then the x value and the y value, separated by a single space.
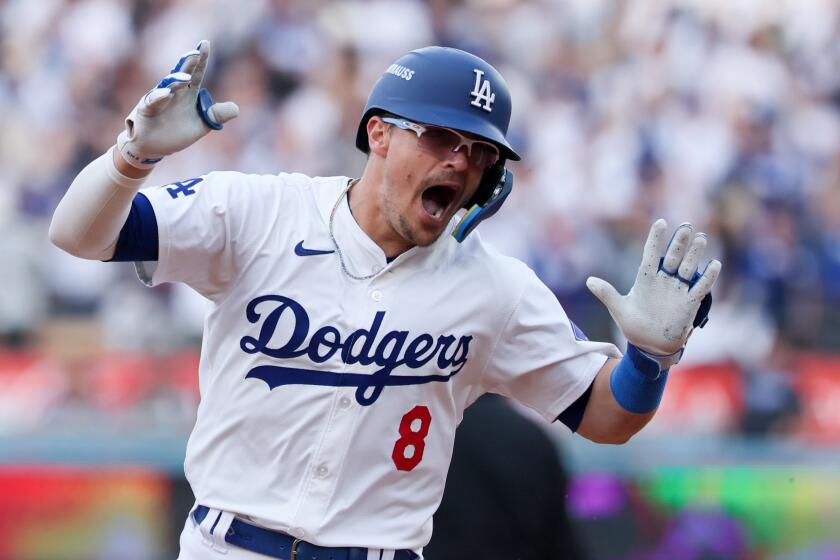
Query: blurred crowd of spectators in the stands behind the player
pixel 725 114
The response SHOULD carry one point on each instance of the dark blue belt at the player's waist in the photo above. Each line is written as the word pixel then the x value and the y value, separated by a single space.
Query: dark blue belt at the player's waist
pixel 283 546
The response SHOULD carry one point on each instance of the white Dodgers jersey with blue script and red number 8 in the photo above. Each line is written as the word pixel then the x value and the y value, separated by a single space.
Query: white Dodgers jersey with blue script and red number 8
pixel 329 405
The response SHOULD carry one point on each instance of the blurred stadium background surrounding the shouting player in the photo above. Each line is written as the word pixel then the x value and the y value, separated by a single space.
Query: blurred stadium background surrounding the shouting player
pixel 723 113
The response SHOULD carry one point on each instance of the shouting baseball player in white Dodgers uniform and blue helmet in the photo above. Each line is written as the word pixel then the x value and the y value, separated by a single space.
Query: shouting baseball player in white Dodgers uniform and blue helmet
pixel 353 320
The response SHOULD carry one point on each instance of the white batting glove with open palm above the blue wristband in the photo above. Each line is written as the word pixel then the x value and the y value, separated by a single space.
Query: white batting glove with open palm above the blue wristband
pixel 658 314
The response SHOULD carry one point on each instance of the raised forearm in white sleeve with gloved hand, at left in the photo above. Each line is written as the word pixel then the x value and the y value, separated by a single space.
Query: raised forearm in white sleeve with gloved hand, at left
pixel 173 115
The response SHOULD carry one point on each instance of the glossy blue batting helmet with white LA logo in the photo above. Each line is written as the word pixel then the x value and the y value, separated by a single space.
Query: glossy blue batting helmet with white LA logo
pixel 445 87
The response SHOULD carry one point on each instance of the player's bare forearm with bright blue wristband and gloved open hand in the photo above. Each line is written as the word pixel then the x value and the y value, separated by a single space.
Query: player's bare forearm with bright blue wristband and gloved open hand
pixel 667 301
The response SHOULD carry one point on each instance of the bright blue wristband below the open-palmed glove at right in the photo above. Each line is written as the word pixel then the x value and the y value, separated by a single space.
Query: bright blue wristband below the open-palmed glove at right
pixel 637 382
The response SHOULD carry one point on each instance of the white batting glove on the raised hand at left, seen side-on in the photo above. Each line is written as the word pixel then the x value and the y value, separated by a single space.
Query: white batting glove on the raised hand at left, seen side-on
pixel 174 114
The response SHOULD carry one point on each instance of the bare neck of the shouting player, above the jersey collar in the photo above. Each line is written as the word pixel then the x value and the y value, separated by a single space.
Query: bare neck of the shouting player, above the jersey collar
pixel 366 207
